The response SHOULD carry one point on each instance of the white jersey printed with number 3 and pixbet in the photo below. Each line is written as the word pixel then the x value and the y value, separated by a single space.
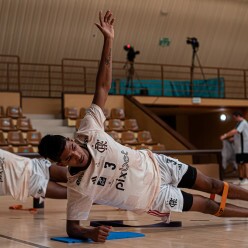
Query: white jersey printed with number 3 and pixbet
pixel 117 175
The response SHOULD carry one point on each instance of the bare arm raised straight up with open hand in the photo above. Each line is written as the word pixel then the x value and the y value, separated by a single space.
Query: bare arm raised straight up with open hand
pixel 104 75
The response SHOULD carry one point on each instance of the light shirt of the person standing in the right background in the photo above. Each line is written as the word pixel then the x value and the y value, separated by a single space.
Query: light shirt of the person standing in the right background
pixel 241 138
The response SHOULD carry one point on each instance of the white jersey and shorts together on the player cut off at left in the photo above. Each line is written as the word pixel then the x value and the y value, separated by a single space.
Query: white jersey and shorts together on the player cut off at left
pixel 21 177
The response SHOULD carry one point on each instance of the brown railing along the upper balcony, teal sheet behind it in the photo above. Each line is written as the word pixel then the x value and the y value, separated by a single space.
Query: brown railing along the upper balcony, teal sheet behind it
pixel 76 75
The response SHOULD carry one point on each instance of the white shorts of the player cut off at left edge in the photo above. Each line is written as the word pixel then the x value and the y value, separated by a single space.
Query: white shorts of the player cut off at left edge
pixel 39 178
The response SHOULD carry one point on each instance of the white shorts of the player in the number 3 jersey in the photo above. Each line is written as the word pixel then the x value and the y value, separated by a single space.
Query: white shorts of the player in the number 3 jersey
pixel 170 197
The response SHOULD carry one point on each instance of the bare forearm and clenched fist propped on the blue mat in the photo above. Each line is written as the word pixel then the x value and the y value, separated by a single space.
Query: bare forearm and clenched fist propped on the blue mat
pixel 97 234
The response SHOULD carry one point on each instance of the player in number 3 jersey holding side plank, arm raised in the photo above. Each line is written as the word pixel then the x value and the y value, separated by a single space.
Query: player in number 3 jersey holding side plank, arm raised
pixel 103 171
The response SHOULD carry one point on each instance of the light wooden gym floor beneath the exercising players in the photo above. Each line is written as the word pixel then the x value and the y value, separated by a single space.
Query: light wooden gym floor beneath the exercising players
pixel 19 229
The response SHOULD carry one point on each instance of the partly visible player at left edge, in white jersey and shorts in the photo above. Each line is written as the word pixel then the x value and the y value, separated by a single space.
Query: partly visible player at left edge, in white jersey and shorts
pixel 21 177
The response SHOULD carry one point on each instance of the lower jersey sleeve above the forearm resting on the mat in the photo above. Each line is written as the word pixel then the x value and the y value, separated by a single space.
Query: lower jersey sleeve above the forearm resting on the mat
pixel 78 205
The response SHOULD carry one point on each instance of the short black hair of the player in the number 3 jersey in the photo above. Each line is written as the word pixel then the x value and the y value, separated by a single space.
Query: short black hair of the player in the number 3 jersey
pixel 52 146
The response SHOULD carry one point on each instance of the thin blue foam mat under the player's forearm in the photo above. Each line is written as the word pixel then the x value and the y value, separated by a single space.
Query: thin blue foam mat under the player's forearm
pixel 112 235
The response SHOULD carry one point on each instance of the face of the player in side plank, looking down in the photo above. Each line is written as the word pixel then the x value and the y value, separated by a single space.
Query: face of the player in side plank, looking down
pixel 73 155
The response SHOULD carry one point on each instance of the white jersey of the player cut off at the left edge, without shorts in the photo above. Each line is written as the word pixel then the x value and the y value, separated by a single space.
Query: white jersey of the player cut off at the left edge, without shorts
pixel 15 172
